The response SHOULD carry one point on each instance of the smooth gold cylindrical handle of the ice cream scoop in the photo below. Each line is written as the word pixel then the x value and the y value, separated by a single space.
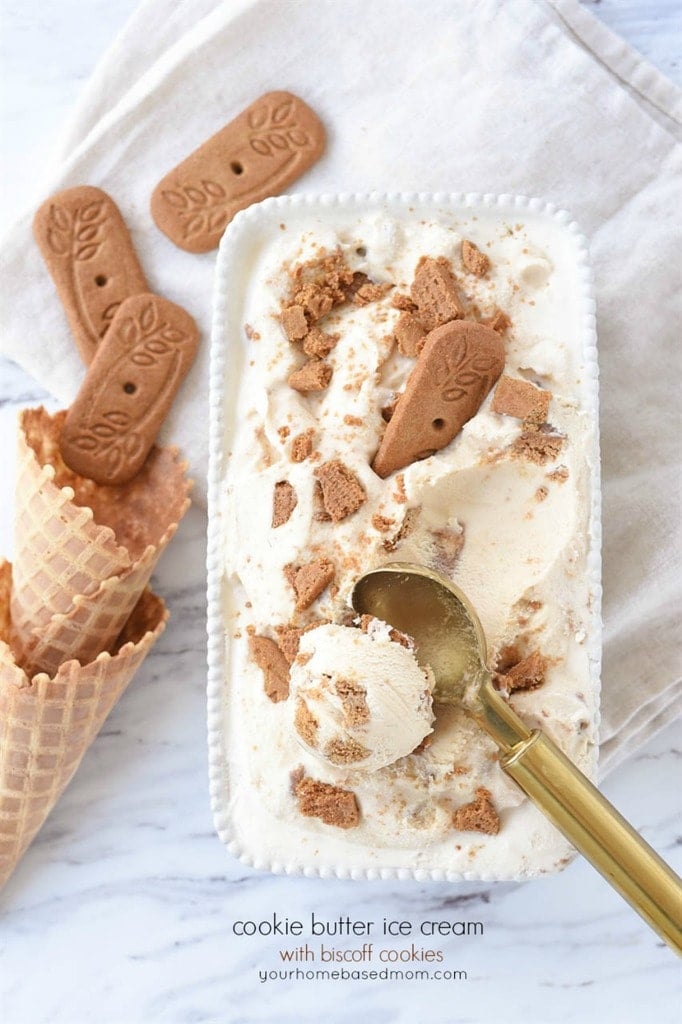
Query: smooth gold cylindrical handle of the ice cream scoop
pixel 600 833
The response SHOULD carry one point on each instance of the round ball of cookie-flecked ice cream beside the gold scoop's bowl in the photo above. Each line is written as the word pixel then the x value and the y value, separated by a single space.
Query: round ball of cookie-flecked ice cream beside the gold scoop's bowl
pixel 360 700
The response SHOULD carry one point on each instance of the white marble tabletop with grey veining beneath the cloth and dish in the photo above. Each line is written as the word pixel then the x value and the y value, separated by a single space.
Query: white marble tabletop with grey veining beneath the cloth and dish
pixel 123 911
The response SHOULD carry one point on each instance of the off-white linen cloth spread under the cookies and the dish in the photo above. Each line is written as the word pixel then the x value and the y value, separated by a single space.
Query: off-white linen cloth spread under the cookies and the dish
pixel 531 98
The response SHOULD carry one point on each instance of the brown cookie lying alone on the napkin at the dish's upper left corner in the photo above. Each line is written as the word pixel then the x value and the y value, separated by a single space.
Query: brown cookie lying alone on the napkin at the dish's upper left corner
pixel 259 154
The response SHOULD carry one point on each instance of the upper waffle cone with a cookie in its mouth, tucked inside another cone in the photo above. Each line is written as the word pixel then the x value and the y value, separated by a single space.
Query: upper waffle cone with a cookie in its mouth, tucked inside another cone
pixel 84 553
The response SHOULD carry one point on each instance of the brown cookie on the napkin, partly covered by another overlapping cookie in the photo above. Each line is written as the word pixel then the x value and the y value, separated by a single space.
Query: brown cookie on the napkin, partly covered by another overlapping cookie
pixel 91 257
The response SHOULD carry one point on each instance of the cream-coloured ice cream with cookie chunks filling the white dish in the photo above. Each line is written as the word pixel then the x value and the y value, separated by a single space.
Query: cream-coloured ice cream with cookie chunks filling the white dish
pixel 407 382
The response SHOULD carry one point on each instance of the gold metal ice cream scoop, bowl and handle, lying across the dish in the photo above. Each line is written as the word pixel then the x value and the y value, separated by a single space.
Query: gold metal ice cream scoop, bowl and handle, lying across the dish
pixel 451 641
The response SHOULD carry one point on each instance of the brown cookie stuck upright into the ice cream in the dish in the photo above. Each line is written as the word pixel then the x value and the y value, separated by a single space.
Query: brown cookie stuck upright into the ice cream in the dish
pixel 457 368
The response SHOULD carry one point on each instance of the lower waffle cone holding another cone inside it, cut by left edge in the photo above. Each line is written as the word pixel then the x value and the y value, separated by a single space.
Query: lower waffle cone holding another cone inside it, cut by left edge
pixel 48 723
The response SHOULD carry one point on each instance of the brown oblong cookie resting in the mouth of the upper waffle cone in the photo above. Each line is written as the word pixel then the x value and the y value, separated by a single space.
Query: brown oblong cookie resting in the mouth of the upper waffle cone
pixel 129 390
